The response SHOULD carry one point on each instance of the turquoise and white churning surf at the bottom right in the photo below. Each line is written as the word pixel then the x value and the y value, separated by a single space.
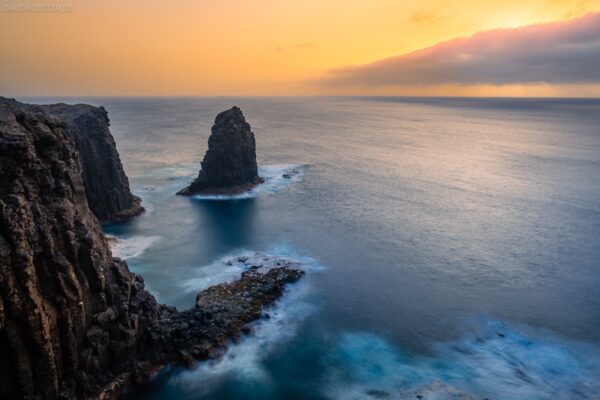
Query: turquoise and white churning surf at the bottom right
pixel 498 362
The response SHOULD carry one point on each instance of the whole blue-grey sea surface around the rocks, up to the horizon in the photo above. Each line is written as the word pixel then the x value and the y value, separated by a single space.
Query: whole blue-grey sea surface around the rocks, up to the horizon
pixel 447 240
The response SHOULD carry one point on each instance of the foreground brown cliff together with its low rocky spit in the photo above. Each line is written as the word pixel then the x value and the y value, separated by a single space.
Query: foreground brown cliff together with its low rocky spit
pixel 74 322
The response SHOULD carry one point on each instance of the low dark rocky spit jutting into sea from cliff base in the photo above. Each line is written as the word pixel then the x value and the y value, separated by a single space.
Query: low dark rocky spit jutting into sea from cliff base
pixel 221 314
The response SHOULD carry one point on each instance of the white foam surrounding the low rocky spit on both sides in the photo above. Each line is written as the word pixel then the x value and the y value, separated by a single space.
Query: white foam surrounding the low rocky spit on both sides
pixel 244 360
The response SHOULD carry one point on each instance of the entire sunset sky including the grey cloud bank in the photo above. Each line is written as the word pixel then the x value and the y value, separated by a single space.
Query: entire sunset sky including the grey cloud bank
pixel 300 47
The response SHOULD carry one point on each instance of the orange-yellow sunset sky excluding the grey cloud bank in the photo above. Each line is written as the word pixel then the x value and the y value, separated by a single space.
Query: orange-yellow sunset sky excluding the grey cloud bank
pixel 236 47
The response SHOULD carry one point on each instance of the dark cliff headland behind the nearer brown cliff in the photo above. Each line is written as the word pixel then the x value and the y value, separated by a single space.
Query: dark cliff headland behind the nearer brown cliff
pixel 106 185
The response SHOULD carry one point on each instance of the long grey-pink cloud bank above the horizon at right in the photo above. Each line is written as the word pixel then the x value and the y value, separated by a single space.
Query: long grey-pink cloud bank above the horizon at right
pixel 566 52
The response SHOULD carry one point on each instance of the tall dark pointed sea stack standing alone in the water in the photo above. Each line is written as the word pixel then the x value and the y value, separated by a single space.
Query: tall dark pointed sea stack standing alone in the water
pixel 229 165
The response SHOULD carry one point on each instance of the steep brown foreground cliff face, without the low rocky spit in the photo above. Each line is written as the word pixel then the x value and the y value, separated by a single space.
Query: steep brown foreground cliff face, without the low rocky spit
pixel 70 315
